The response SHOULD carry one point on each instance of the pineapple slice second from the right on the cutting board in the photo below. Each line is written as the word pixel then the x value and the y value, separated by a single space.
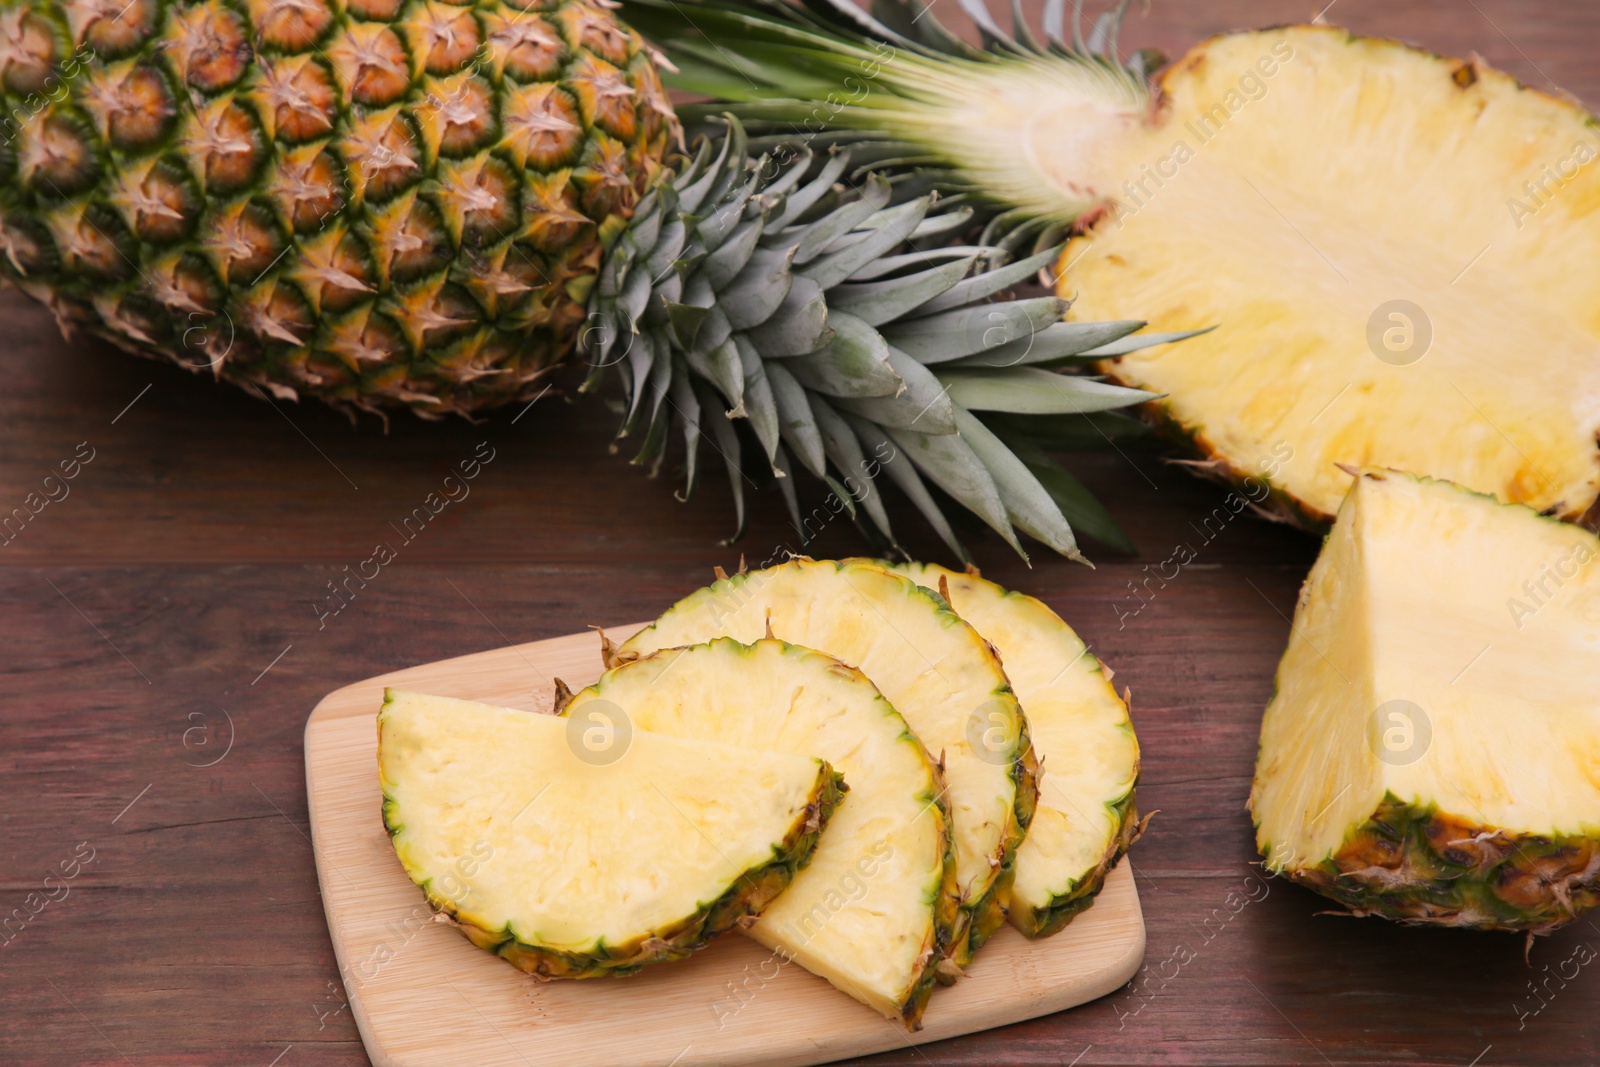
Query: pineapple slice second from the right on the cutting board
pixel 930 665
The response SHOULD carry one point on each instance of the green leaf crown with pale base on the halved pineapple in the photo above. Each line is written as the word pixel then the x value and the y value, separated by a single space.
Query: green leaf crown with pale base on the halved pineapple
pixel 1010 127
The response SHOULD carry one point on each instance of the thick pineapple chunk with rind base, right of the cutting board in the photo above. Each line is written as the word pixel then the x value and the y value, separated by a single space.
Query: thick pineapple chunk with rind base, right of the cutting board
pixel 1433 753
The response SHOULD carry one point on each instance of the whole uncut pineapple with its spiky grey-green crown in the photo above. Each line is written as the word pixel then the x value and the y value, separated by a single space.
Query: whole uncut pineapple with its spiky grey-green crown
pixel 434 206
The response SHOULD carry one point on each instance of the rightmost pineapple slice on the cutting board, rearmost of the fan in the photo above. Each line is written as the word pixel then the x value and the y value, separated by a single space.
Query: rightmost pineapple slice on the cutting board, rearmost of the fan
pixel 1025 631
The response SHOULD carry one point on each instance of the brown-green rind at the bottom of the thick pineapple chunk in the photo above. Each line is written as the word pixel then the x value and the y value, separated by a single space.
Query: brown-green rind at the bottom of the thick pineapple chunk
pixel 1415 863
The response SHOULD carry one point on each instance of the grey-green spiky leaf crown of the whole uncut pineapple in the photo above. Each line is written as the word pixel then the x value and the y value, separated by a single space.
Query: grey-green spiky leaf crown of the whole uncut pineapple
pixel 823 308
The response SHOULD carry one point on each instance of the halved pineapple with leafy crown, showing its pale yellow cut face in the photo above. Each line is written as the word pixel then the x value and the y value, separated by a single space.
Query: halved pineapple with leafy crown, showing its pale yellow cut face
pixel 1369 228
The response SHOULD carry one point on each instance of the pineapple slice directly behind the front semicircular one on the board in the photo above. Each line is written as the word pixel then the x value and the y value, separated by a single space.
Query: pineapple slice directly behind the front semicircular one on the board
pixel 874 909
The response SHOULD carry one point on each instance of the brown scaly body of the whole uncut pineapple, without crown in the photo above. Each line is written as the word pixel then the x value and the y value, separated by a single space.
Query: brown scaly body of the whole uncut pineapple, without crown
pixel 378 204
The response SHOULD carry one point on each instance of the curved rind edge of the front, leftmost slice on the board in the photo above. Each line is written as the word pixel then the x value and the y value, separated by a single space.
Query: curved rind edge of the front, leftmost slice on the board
pixel 746 895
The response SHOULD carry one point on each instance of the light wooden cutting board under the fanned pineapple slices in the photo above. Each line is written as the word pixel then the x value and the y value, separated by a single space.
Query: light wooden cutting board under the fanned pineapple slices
pixel 425 997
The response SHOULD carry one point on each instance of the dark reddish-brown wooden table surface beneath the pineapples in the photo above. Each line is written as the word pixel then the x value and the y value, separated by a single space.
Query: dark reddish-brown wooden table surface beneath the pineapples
pixel 162 618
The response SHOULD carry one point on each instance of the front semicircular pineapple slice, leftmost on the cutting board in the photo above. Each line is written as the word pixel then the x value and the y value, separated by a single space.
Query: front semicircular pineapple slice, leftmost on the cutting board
pixel 575 866
